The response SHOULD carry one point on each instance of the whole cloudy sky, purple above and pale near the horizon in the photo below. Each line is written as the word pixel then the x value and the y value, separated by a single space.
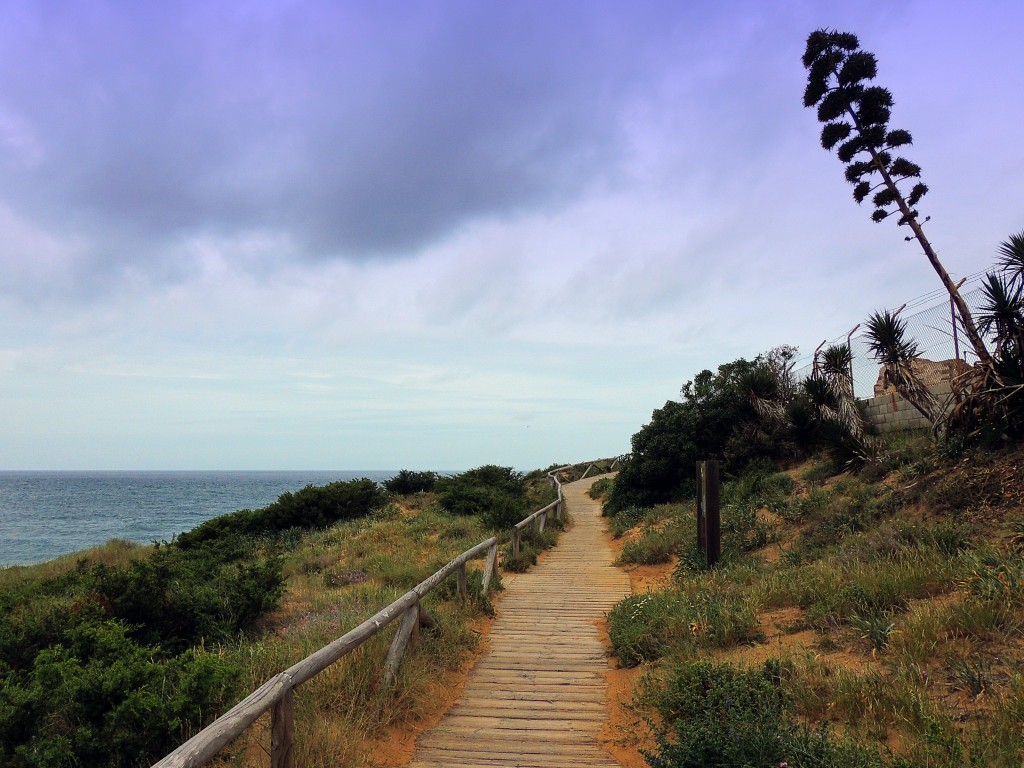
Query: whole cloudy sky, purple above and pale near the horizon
pixel 437 235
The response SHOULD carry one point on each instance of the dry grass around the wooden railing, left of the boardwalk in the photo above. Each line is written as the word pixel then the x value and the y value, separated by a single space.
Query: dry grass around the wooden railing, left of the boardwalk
pixel 337 579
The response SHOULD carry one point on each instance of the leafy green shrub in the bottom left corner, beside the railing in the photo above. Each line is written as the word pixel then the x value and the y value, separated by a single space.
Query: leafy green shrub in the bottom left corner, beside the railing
pixel 104 700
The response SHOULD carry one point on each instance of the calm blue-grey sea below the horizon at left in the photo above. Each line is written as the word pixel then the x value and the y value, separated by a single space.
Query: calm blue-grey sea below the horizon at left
pixel 47 515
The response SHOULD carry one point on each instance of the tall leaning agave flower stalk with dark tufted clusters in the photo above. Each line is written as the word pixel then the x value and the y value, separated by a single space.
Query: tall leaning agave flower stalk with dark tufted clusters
pixel 857 119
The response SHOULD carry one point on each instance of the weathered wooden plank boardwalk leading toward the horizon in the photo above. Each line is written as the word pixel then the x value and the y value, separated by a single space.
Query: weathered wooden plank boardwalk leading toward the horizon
pixel 538 698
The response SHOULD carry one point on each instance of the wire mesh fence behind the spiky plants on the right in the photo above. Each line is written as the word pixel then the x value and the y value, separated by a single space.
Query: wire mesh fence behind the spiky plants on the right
pixel 936 330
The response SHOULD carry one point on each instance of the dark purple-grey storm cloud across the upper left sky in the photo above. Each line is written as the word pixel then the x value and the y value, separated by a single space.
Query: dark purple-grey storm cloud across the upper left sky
pixel 359 130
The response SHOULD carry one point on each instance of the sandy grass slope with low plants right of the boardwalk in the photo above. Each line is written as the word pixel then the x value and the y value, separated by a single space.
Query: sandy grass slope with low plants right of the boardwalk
pixel 903 591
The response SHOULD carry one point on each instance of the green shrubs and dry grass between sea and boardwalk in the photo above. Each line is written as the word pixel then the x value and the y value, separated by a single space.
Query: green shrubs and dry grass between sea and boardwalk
pixel 115 658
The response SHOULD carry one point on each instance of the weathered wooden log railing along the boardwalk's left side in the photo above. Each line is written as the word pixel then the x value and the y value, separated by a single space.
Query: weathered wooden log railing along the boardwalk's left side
pixel 277 695
